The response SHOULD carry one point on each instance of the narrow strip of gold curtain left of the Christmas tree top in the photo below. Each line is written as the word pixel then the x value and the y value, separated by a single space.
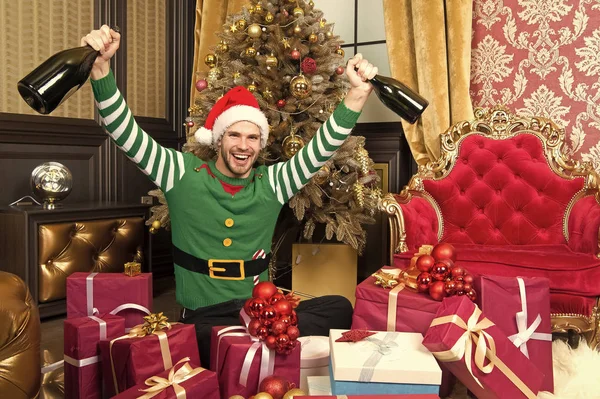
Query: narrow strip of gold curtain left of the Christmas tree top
pixel 210 17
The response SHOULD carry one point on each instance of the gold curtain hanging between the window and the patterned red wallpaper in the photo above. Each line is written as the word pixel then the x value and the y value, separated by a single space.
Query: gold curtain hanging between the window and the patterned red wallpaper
pixel 429 48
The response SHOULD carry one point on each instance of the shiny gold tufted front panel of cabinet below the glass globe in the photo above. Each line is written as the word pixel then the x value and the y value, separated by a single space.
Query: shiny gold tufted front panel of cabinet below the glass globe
pixel 85 246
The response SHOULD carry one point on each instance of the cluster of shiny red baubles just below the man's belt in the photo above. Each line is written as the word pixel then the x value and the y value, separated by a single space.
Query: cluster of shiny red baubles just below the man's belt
pixel 272 318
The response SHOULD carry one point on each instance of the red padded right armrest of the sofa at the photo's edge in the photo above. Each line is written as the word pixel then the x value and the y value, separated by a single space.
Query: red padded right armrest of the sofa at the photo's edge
pixel 584 226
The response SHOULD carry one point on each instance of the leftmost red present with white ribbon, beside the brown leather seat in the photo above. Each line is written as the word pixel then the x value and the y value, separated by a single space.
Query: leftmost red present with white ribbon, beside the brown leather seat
pixel 83 377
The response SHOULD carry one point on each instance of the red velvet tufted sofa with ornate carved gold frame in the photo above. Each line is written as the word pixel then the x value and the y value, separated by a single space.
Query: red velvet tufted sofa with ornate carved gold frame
pixel 510 200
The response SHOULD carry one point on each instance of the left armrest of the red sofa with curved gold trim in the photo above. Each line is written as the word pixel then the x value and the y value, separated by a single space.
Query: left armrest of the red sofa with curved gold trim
pixel 413 222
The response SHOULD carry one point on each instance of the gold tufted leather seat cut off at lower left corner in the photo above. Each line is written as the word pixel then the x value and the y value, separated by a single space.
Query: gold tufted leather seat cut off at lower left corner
pixel 19 340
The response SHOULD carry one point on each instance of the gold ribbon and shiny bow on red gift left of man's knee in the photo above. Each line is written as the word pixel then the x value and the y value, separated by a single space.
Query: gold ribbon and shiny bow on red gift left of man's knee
pixel 154 323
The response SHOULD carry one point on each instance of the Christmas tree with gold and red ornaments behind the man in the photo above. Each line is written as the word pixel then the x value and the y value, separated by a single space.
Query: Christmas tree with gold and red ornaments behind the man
pixel 287 54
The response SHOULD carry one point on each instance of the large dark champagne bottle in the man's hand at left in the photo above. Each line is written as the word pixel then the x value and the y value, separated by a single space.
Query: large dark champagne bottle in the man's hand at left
pixel 57 78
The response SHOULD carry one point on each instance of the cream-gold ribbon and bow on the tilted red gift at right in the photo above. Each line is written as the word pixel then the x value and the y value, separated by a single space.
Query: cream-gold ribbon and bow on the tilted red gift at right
pixel 475 334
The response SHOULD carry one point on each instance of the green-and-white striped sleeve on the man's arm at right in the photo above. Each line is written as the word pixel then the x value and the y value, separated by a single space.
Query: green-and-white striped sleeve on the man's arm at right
pixel 287 178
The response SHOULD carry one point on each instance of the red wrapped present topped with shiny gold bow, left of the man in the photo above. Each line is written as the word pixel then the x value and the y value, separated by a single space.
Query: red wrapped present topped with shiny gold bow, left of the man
pixel 145 351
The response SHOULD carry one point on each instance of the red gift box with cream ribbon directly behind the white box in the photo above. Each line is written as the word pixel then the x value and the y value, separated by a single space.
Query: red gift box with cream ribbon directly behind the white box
pixel 399 309
